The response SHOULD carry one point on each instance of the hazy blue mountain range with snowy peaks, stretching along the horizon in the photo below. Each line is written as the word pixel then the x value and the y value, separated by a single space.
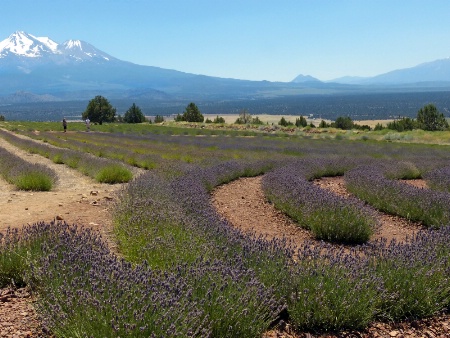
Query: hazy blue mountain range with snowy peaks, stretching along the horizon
pixel 38 69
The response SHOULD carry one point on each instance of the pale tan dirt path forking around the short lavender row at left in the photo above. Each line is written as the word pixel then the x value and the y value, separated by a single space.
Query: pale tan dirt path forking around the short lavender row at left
pixel 75 198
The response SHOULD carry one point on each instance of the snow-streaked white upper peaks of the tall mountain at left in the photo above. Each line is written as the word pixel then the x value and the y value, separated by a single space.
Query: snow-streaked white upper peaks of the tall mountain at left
pixel 22 45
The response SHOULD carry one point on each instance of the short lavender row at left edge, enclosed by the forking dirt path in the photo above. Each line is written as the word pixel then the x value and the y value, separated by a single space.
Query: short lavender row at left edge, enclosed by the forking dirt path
pixel 25 175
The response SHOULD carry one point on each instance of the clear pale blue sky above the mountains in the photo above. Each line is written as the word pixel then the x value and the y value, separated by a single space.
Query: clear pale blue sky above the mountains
pixel 273 40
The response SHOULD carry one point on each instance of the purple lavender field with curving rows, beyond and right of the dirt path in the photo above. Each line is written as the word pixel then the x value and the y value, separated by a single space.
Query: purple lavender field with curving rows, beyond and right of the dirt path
pixel 185 271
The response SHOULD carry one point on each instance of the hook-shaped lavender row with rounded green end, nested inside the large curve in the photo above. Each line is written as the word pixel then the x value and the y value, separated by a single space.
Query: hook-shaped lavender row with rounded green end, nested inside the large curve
pixel 328 216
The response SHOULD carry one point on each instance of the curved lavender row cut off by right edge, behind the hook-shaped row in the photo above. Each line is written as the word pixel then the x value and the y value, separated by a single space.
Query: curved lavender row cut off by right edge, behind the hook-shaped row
pixel 376 185
